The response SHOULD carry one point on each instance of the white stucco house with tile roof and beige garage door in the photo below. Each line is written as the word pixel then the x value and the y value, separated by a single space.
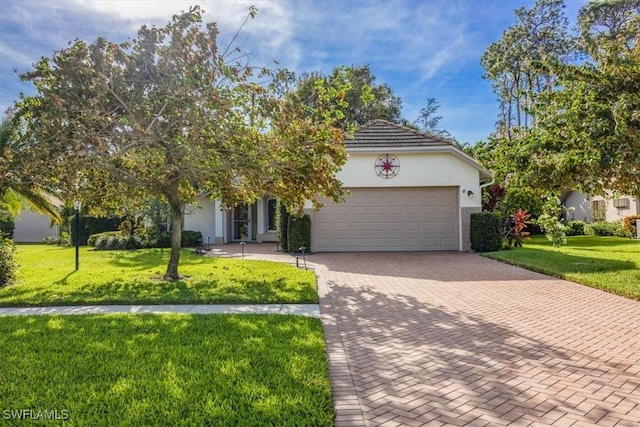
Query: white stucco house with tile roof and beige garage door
pixel 408 191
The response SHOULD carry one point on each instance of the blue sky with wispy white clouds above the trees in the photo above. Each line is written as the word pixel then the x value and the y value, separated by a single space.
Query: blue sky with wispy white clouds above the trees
pixel 421 48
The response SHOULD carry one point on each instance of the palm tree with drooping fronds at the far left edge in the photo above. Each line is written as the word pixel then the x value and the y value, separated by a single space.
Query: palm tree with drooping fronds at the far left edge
pixel 16 186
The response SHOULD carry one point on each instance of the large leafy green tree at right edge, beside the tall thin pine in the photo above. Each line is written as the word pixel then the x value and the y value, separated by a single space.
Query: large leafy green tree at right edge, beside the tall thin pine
pixel 588 128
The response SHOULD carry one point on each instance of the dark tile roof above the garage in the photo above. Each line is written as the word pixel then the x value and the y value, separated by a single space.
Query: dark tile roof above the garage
pixel 383 133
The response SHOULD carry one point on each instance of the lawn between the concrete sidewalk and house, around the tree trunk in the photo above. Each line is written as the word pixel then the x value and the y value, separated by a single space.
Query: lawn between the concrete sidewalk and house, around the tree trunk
pixel 46 276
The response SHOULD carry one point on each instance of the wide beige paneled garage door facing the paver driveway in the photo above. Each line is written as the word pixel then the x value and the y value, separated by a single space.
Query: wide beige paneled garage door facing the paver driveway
pixel 389 219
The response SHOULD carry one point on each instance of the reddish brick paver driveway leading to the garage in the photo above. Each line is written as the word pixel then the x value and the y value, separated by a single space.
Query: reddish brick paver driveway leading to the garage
pixel 429 339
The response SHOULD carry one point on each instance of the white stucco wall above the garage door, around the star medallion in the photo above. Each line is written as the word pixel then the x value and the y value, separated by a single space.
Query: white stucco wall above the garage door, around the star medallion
pixel 416 170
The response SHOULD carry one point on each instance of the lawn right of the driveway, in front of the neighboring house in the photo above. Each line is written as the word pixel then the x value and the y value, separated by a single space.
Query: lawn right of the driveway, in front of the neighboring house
pixel 608 263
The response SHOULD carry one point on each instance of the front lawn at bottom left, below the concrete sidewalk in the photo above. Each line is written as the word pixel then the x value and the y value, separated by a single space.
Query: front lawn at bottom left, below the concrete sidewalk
pixel 166 370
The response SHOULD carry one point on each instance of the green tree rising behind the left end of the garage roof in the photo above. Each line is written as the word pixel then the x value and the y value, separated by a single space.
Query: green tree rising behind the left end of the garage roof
pixel 366 99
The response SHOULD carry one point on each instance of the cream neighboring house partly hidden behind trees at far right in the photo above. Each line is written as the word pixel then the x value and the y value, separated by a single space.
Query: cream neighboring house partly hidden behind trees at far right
pixel 597 208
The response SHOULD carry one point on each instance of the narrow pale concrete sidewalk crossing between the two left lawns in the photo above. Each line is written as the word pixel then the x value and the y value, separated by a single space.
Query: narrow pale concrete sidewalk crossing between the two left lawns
pixel 297 309
